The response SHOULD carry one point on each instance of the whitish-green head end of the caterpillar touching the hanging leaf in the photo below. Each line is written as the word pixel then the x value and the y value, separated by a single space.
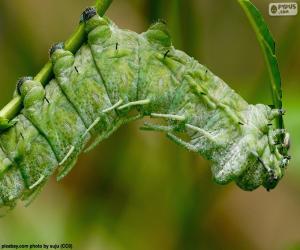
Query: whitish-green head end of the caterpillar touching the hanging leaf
pixel 269 156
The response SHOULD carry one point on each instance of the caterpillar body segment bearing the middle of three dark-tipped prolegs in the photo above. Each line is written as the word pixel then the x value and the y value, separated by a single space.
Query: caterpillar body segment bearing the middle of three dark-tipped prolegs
pixel 82 85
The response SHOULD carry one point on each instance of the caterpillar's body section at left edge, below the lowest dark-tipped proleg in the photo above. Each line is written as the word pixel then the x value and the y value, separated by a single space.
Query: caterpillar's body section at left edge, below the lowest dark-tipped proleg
pixel 22 147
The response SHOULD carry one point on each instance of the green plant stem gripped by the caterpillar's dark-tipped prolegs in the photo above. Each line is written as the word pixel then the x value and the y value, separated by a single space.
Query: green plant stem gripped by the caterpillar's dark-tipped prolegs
pixel 45 74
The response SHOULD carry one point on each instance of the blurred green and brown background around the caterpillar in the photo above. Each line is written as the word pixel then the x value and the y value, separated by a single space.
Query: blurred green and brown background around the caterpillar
pixel 137 190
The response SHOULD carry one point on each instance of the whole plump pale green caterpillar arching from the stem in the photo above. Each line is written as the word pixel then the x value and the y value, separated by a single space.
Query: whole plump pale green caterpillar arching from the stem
pixel 115 73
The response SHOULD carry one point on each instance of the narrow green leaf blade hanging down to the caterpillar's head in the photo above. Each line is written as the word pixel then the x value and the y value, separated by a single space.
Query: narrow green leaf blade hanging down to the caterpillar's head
pixel 267 44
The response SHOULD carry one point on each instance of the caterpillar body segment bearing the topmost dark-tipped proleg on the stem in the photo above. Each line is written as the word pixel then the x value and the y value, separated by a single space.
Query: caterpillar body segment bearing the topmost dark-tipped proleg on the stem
pixel 115 50
